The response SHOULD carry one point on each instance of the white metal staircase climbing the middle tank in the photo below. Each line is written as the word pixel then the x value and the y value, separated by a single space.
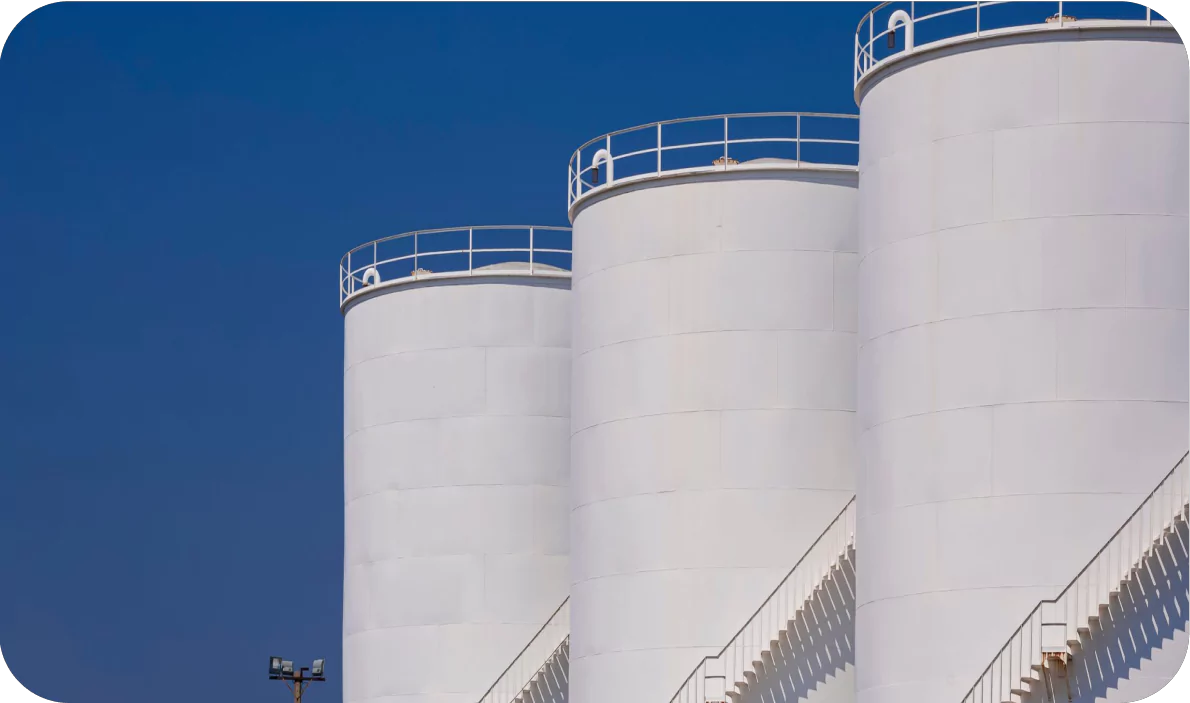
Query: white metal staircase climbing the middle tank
pixel 796 631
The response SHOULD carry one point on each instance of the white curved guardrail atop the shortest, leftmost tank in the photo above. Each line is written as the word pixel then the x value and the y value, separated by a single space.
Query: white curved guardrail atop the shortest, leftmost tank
pixel 491 250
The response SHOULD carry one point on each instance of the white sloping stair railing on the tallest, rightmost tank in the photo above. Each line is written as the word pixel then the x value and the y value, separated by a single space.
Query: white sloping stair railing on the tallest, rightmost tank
pixel 1053 624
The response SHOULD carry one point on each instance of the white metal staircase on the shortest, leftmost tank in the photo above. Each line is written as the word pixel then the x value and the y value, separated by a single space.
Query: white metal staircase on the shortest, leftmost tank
pixel 541 673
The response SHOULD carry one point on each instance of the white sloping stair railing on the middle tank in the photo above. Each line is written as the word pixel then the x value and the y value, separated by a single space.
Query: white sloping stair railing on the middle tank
pixel 717 675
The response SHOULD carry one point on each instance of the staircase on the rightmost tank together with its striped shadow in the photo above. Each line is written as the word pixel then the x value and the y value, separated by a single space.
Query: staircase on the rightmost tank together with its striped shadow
pixel 1105 641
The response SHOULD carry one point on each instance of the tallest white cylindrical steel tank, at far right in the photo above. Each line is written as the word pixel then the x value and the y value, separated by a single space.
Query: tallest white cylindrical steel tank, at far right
pixel 1023 328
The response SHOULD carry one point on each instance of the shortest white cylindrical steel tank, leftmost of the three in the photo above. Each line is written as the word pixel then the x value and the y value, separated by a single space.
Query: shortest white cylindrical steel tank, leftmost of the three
pixel 456 434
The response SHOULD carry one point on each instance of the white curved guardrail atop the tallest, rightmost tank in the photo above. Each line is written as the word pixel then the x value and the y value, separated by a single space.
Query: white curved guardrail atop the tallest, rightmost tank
pixel 907 21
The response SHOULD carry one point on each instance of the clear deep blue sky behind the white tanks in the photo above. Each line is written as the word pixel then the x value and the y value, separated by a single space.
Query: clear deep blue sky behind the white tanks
pixel 178 185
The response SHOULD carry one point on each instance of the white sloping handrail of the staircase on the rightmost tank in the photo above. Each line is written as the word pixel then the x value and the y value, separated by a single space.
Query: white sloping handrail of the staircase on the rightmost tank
pixel 1038 643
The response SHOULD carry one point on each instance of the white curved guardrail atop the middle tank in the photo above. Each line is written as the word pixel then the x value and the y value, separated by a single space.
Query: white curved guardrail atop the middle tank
pixel 715 143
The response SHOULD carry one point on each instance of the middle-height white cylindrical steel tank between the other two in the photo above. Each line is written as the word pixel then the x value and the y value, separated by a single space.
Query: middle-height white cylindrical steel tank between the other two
pixel 713 382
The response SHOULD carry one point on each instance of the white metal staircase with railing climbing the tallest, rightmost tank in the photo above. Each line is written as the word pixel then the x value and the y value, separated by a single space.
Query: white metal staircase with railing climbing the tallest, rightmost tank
pixel 1143 562
